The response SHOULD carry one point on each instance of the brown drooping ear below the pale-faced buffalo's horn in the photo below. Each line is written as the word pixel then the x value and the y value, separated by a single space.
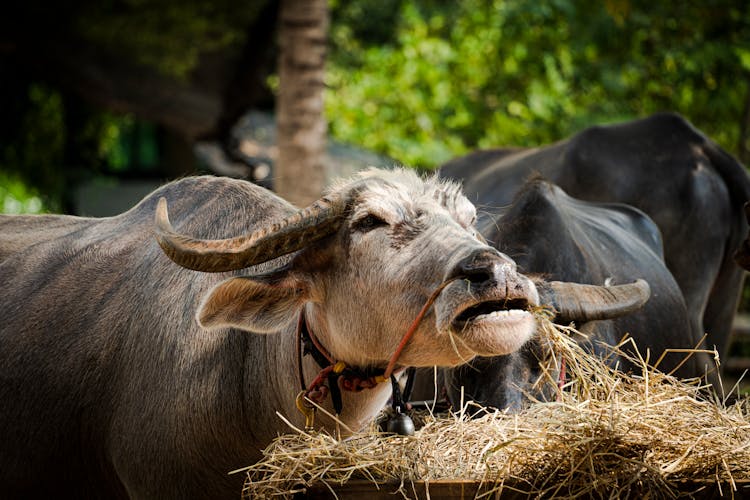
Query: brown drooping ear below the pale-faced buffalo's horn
pixel 254 304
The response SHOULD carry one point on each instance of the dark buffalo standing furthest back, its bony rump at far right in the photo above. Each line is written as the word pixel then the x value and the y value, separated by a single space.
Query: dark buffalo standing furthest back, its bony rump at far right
pixel 688 185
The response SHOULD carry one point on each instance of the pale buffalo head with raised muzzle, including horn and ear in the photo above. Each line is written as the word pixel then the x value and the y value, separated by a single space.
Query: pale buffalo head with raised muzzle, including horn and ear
pixel 364 261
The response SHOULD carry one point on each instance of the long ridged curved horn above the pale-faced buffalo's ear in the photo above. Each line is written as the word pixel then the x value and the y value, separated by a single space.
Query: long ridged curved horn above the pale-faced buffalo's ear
pixel 280 238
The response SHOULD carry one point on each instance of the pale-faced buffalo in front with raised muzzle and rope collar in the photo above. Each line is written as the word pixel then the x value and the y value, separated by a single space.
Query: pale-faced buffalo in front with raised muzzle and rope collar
pixel 109 387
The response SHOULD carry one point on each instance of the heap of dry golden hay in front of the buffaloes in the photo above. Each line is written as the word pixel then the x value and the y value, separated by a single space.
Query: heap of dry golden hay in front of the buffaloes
pixel 608 434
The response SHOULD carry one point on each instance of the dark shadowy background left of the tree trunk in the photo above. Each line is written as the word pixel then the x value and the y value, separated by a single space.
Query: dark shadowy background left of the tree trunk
pixel 123 88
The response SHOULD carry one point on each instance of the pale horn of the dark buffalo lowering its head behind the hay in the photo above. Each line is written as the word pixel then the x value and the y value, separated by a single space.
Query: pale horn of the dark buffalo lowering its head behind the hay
pixel 581 303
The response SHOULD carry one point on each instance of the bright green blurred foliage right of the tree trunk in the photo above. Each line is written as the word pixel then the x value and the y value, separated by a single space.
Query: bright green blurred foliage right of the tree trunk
pixel 454 76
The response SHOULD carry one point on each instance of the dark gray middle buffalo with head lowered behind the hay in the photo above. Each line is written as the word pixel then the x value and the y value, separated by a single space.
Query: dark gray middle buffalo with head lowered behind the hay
pixel 548 233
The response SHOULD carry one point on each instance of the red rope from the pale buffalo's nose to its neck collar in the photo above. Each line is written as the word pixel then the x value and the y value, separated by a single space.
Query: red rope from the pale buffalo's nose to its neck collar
pixel 350 379
